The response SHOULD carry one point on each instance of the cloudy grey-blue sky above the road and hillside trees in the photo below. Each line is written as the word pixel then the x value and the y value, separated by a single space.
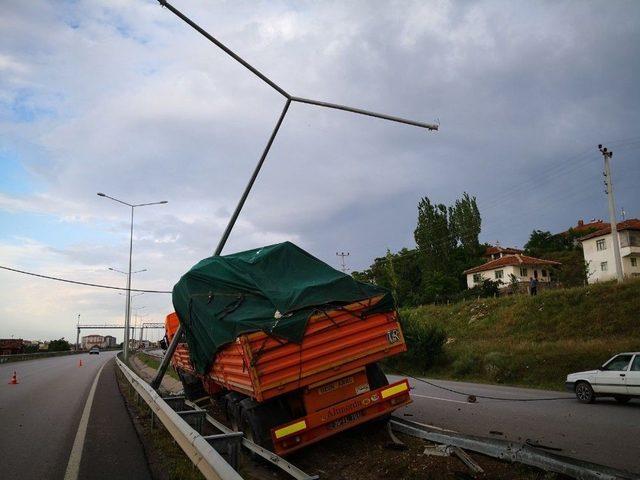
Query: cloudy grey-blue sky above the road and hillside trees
pixel 122 97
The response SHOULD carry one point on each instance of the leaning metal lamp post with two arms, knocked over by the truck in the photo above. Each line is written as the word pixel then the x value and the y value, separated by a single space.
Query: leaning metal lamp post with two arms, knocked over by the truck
pixel 225 236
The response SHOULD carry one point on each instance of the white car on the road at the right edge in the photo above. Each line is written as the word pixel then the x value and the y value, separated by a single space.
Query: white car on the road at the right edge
pixel 618 378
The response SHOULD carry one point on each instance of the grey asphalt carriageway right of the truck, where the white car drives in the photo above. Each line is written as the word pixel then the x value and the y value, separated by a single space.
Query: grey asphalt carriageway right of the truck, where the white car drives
pixel 604 432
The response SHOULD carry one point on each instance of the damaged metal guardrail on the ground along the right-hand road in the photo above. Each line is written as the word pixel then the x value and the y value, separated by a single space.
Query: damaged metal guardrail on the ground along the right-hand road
pixel 512 452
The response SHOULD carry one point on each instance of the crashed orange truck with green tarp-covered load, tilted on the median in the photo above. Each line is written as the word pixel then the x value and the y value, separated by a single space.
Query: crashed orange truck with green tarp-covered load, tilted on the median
pixel 286 393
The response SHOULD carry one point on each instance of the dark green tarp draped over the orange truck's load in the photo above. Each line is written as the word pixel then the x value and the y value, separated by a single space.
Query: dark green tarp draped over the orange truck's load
pixel 274 289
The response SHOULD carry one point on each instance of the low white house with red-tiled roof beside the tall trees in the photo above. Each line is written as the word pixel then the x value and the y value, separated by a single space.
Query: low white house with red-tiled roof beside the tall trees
pixel 522 267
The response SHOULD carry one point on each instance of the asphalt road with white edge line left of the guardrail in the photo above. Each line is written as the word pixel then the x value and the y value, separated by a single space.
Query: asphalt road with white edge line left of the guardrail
pixel 40 418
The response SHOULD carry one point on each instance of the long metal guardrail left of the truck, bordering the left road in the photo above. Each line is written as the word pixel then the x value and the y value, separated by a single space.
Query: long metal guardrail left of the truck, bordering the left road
pixel 210 463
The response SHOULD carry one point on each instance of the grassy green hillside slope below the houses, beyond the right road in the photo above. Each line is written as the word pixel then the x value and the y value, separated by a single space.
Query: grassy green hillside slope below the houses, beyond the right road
pixel 521 340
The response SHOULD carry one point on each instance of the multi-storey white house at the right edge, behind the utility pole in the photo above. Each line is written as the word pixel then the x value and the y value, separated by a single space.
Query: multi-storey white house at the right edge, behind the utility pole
pixel 598 252
